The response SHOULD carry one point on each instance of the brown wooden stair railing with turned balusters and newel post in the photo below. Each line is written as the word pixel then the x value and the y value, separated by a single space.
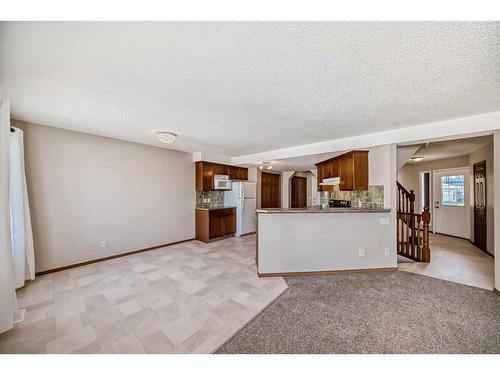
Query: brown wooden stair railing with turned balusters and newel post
pixel 412 228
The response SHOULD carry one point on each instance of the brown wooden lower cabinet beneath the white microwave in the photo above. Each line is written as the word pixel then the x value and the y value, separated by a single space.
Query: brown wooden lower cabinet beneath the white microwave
pixel 215 223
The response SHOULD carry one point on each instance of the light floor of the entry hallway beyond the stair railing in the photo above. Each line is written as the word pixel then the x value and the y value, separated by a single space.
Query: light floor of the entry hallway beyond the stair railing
pixel 454 259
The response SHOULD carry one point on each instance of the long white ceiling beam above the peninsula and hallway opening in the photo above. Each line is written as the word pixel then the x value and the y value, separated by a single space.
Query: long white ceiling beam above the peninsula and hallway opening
pixel 472 125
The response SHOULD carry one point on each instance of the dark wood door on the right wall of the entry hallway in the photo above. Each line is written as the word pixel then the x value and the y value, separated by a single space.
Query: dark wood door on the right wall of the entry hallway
pixel 480 205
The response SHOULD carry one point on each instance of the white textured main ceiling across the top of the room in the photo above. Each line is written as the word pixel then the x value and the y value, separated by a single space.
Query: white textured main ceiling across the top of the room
pixel 239 88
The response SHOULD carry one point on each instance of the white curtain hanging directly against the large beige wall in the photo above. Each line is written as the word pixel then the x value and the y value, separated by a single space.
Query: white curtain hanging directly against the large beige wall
pixel 21 235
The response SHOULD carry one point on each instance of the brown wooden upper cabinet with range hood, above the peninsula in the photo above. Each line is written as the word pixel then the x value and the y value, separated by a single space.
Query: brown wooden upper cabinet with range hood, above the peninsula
pixel 351 168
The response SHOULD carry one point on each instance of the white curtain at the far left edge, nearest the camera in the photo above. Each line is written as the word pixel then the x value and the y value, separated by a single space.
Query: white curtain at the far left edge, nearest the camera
pixel 8 304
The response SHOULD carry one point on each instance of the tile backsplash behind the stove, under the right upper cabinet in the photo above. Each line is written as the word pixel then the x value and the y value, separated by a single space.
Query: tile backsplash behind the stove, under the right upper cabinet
pixel 371 198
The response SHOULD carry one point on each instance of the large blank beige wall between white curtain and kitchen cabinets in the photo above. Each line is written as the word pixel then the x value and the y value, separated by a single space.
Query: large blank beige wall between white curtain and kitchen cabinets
pixel 84 189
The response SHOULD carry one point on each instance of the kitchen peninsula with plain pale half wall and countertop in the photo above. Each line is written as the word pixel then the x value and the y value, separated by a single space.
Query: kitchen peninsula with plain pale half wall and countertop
pixel 317 240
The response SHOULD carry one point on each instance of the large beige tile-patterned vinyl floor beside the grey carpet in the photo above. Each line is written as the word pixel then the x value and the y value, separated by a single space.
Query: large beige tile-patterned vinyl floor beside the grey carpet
pixel 185 298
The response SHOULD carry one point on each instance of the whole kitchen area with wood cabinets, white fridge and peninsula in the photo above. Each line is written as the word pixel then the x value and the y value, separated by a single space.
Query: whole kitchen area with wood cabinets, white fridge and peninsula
pixel 352 227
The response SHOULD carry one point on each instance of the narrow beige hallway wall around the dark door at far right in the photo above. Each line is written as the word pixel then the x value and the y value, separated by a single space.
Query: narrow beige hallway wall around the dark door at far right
pixel 484 153
